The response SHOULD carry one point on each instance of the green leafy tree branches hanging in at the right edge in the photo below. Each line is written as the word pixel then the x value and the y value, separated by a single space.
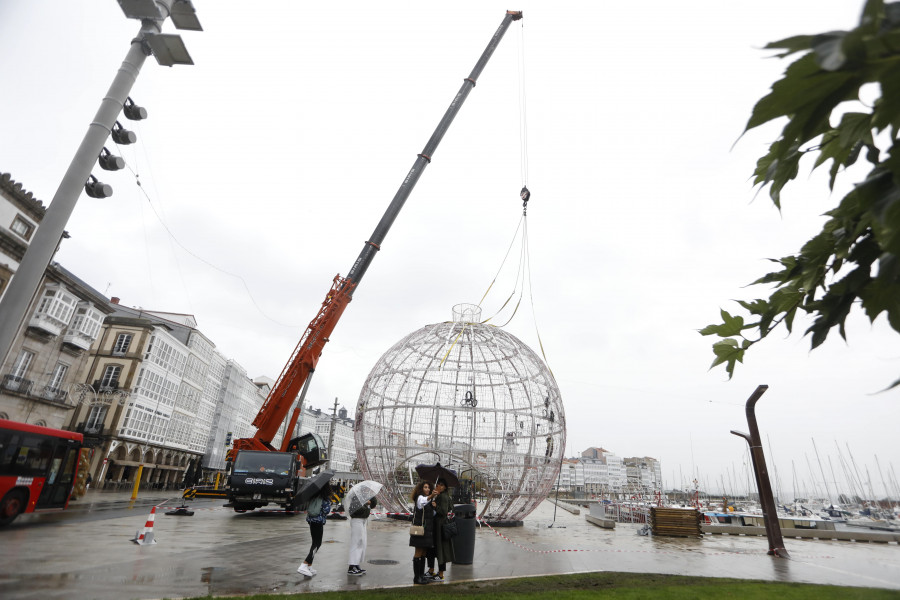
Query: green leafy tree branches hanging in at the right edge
pixel 853 260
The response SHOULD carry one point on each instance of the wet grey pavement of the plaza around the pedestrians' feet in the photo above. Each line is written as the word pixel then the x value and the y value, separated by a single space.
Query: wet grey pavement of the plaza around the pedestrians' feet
pixel 86 552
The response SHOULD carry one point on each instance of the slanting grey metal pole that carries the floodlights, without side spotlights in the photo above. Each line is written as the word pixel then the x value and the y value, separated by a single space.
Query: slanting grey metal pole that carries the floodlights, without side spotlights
pixel 24 285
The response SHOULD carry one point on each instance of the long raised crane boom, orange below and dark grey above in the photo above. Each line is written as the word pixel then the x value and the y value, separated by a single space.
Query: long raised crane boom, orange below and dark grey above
pixel 295 377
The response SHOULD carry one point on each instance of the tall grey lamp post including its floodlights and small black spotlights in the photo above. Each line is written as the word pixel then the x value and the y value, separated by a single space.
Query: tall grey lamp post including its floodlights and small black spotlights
pixel 24 286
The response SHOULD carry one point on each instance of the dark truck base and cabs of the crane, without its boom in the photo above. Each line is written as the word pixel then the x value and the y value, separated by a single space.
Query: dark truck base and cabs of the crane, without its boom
pixel 262 477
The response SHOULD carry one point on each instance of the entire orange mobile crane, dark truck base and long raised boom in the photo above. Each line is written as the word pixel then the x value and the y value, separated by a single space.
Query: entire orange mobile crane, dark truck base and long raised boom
pixel 253 484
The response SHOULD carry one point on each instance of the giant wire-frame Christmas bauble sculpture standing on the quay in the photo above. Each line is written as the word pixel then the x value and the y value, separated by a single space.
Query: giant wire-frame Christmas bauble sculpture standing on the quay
pixel 472 397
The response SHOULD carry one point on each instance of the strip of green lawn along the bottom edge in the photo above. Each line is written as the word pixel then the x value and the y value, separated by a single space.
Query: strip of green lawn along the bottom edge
pixel 624 586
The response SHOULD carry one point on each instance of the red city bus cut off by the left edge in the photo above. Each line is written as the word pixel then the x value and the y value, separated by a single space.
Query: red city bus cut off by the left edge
pixel 38 466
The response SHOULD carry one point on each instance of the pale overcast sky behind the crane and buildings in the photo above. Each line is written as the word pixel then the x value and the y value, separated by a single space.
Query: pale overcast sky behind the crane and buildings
pixel 274 156
